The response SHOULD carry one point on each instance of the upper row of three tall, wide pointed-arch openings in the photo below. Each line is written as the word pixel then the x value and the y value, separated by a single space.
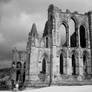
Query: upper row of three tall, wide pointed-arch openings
pixel 69 33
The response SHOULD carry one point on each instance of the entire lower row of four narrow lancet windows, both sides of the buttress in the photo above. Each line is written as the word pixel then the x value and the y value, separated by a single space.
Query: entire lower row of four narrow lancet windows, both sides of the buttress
pixel 74 64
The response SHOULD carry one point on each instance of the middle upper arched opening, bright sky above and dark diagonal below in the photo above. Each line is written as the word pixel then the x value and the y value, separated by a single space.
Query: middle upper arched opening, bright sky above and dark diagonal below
pixel 72 32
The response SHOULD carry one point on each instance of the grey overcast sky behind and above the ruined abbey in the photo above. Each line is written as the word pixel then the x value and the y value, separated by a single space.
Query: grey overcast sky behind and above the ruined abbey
pixel 17 17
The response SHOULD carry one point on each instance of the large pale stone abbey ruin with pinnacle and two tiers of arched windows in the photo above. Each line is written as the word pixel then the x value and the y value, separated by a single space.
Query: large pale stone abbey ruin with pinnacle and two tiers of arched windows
pixel 50 61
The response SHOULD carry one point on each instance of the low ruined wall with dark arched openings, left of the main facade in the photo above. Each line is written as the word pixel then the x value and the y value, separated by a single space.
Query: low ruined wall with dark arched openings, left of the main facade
pixel 19 66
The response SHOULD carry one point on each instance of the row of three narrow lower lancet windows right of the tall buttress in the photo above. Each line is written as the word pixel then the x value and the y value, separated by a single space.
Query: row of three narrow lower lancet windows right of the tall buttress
pixel 74 64
